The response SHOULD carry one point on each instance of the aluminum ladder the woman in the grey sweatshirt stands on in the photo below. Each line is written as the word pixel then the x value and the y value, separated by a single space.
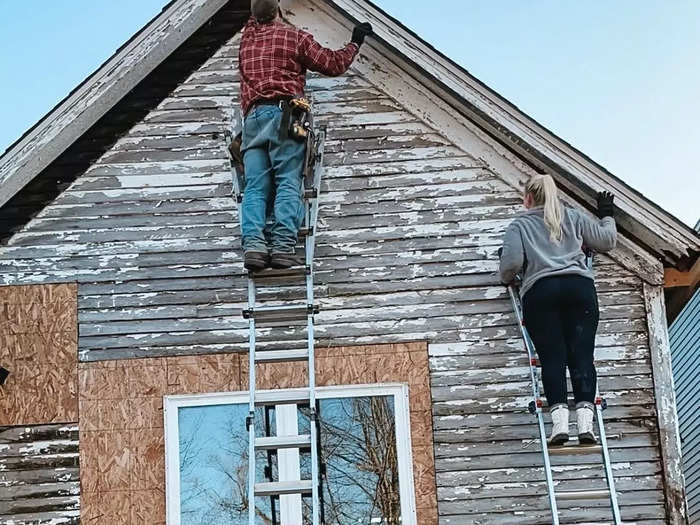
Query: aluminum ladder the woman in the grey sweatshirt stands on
pixel 536 407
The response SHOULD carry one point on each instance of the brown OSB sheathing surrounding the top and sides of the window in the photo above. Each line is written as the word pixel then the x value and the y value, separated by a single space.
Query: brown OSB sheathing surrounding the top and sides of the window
pixel 122 451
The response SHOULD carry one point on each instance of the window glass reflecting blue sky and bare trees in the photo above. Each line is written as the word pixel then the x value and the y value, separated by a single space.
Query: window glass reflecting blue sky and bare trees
pixel 358 448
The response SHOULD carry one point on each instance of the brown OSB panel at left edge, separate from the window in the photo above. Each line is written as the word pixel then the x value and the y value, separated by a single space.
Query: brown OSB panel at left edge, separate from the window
pixel 38 344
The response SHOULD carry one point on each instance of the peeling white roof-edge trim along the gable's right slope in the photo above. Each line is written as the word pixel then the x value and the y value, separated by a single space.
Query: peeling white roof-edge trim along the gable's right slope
pixel 663 233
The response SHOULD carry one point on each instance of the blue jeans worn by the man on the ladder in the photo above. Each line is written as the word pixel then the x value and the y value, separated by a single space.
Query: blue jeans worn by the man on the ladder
pixel 273 183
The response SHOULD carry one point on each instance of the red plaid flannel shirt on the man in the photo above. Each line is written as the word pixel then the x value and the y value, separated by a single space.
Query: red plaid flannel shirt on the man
pixel 273 59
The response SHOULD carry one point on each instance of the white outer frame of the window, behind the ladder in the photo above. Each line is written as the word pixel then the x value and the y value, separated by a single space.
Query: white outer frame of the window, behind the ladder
pixel 399 392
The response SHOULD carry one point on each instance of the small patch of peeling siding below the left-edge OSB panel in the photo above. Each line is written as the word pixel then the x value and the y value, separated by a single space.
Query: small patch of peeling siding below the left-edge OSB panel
pixel 39 475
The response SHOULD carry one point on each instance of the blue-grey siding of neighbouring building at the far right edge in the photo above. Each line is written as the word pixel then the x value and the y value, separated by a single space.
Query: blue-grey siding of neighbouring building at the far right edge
pixel 685 348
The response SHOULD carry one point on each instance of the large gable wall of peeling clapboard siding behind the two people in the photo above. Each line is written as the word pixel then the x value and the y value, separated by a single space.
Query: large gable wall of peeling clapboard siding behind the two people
pixel 410 225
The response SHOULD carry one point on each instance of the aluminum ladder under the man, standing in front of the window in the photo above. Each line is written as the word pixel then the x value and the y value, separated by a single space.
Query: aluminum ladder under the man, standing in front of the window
pixel 281 316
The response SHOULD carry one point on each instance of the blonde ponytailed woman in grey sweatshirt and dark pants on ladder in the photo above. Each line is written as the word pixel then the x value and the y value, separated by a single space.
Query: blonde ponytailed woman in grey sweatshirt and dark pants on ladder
pixel 560 308
